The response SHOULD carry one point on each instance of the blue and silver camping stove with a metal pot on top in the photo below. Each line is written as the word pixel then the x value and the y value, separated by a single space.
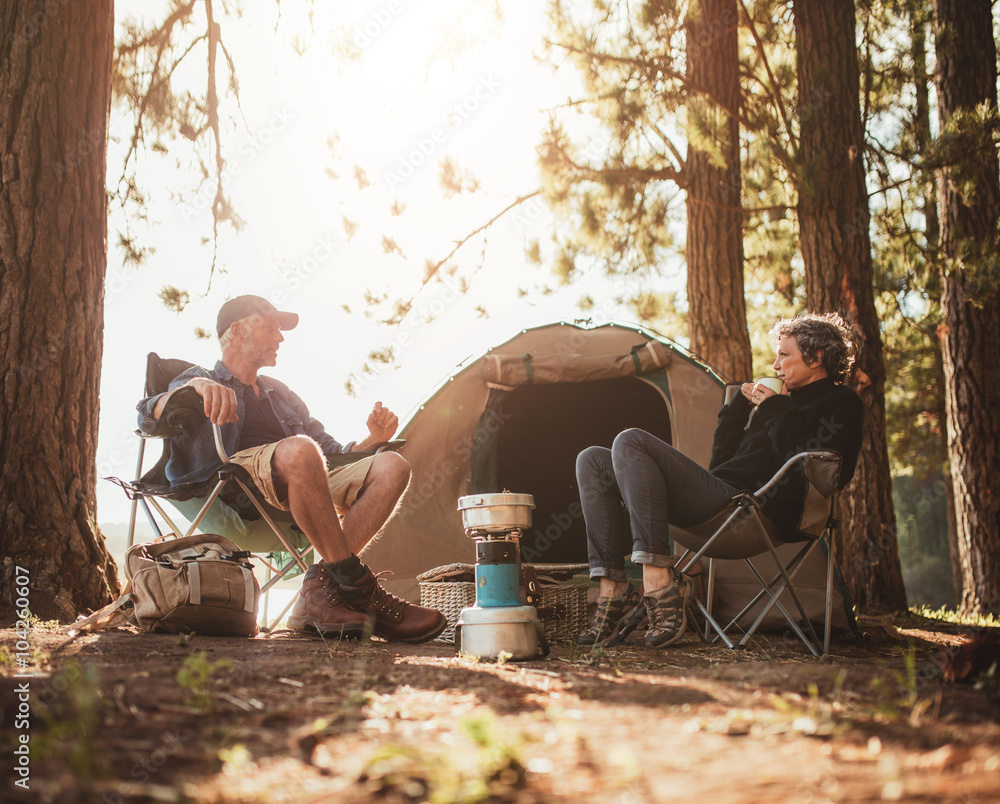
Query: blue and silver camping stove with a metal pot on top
pixel 498 623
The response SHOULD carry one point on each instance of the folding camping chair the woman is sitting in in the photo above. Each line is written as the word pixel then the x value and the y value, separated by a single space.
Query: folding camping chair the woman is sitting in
pixel 742 530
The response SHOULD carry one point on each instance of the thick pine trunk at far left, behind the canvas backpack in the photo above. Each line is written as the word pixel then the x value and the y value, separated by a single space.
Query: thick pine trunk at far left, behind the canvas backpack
pixel 55 89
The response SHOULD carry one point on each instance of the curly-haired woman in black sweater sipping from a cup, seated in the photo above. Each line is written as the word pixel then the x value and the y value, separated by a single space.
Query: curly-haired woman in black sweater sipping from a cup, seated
pixel 632 492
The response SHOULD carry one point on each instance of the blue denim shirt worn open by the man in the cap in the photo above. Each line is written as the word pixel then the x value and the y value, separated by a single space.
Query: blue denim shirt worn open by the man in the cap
pixel 194 460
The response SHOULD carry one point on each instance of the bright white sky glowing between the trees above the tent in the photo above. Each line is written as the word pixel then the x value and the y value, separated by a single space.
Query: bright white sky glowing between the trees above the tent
pixel 411 99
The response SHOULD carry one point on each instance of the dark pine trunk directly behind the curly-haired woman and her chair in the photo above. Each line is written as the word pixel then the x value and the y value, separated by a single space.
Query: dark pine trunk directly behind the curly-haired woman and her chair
pixel 836 249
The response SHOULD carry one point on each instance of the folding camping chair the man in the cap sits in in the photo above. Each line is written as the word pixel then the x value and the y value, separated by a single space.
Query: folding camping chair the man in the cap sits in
pixel 269 533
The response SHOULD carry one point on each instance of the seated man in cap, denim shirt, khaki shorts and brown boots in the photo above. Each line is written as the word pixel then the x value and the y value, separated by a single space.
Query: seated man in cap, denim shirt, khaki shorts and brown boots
pixel 299 467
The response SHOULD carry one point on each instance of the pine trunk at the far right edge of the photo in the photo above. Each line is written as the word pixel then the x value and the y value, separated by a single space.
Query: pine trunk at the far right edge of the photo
pixel 970 209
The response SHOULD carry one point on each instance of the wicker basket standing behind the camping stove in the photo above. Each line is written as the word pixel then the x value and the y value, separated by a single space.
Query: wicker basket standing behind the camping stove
pixel 563 608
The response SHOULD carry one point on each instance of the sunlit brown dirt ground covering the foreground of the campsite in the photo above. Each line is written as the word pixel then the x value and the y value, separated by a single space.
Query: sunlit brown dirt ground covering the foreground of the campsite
pixel 124 717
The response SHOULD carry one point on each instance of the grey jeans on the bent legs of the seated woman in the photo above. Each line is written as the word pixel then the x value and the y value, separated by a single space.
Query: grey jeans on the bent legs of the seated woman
pixel 656 484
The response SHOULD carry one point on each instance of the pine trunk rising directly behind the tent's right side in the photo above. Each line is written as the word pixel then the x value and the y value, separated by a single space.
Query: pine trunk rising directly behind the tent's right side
pixel 717 309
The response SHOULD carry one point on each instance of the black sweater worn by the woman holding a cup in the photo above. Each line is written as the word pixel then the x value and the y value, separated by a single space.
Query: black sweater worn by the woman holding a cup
pixel 820 416
